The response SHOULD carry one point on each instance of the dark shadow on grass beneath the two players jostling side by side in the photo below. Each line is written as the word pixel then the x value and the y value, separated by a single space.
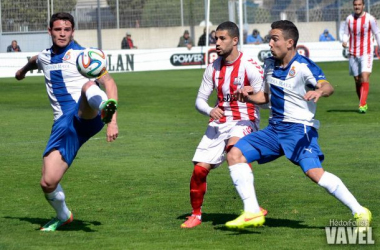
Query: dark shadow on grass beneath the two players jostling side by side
pixel 219 220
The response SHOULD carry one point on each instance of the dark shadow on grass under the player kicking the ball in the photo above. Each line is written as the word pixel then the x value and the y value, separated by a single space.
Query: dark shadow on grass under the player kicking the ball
pixel 76 225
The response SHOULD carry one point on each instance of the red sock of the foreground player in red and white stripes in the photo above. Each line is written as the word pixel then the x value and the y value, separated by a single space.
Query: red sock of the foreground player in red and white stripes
pixel 198 186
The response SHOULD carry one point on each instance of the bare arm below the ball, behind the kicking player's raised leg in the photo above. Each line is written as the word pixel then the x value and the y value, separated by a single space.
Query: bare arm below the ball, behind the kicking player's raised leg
pixel 111 90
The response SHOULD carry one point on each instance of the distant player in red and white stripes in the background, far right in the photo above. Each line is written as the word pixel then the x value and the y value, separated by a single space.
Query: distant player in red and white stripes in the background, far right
pixel 358 32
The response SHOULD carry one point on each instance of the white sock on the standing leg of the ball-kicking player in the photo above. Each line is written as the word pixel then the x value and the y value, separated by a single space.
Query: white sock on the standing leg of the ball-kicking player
pixel 57 200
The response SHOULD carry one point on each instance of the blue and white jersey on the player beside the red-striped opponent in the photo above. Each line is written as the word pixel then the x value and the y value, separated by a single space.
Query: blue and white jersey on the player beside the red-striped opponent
pixel 287 87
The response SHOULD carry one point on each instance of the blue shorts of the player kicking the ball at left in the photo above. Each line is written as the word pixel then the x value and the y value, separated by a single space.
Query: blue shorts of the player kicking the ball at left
pixel 70 132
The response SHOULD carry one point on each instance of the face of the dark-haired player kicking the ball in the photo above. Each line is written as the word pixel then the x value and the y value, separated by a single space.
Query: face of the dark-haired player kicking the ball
pixel 61 33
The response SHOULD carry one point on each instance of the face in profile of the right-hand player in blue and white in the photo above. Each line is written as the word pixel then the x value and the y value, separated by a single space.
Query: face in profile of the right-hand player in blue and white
pixel 279 46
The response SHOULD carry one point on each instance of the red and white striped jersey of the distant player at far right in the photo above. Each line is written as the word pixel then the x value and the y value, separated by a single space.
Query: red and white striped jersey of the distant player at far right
pixel 359 30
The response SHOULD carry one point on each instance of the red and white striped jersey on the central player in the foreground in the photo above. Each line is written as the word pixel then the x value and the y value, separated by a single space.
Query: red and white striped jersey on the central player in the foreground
pixel 225 79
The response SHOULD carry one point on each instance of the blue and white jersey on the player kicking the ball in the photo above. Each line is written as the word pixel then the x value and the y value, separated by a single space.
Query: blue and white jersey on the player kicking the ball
pixel 63 81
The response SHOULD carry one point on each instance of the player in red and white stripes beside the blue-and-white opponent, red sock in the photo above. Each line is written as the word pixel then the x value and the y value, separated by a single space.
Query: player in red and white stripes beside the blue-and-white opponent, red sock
pixel 229 119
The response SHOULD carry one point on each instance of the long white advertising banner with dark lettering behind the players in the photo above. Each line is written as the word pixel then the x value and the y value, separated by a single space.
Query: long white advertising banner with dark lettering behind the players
pixel 160 59
